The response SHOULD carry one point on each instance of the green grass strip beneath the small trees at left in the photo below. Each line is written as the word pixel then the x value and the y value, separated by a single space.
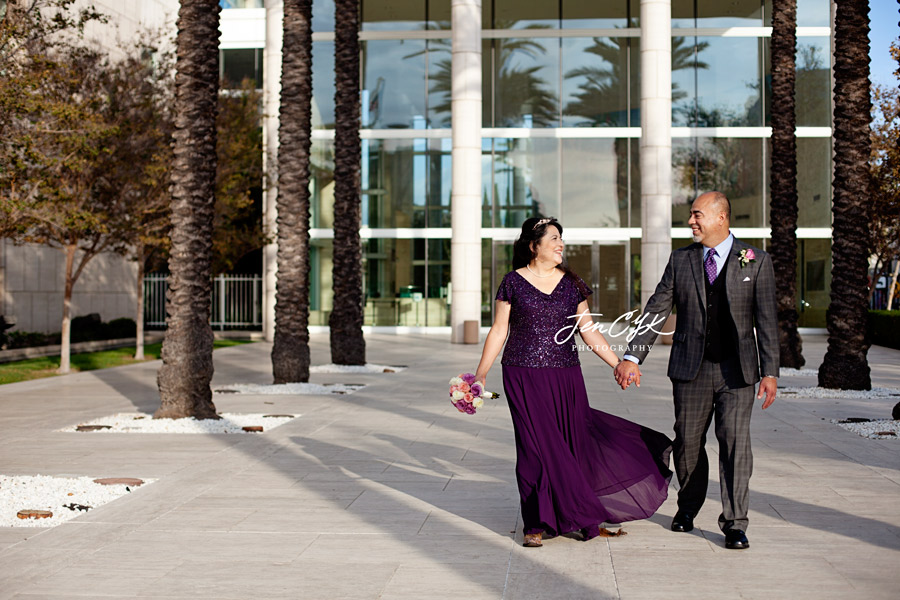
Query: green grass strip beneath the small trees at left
pixel 35 368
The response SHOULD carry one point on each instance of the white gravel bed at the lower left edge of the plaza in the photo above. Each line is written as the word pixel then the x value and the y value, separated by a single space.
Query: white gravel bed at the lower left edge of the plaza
pixel 42 492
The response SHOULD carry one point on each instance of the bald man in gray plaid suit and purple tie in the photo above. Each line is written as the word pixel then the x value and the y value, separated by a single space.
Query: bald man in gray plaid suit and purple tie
pixel 721 288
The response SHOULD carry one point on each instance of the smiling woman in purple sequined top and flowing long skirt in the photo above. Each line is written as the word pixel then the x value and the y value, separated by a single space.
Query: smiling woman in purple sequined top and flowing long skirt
pixel 576 467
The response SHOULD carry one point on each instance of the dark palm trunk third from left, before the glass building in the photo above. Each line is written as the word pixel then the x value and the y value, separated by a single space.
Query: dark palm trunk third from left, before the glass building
pixel 348 347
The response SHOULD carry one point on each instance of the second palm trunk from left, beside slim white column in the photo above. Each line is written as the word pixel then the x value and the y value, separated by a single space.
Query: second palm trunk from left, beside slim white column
pixel 290 352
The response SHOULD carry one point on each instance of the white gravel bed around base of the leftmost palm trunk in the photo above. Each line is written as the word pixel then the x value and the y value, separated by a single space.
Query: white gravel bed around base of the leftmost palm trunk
pixel 145 423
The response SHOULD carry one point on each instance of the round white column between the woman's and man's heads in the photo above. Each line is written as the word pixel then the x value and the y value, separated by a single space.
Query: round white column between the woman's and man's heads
pixel 656 142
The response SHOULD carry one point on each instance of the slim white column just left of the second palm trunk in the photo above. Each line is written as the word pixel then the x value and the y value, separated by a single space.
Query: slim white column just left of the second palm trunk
pixel 272 100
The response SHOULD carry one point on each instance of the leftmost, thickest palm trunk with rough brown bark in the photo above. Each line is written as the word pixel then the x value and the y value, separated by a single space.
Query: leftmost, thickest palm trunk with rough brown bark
pixel 187 368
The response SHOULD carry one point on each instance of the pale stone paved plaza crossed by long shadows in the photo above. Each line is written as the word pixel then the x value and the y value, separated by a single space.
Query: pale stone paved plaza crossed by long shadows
pixel 391 493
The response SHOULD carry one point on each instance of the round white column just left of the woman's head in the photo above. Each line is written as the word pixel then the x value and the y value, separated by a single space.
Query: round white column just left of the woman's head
pixel 465 200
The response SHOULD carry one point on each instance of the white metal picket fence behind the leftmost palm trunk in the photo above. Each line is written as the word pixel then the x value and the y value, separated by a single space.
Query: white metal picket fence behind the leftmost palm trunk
pixel 236 301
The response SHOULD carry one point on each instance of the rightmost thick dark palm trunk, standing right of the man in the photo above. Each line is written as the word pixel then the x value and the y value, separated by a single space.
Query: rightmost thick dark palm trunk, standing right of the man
pixel 845 365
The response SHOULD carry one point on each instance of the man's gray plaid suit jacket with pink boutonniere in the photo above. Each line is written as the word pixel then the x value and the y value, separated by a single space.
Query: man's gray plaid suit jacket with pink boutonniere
pixel 751 300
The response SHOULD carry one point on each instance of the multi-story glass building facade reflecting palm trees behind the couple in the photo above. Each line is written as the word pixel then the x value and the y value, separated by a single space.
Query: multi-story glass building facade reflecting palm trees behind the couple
pixel 560 128
